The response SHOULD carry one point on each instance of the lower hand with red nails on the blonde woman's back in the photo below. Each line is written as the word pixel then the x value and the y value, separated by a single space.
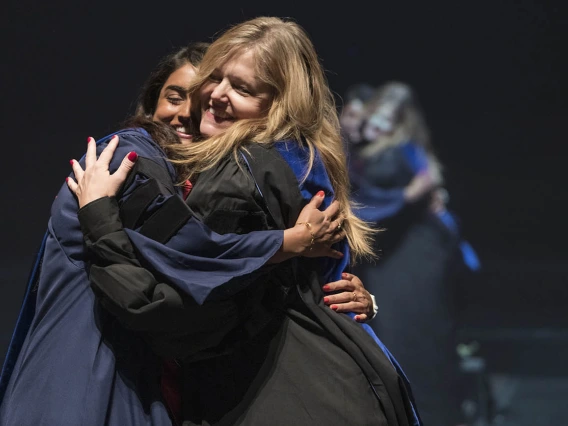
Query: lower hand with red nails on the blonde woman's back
pixel 349 296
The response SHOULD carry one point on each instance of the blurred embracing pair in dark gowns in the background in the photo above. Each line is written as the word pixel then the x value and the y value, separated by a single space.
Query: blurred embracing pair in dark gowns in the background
pixel 398 182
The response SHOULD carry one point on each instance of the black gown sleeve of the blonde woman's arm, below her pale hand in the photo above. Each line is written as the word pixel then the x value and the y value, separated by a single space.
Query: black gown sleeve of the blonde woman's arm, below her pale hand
pixel 172 322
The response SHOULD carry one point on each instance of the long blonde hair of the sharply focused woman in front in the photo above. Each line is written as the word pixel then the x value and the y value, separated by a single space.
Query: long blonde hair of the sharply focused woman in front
pixel 303 109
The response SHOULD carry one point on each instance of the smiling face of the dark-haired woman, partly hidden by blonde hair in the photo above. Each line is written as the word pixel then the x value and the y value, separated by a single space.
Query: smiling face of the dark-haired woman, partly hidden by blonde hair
pixel 173 103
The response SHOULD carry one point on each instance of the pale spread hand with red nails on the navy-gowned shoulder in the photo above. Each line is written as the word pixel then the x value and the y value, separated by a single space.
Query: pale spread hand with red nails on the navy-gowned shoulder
pixel 96 181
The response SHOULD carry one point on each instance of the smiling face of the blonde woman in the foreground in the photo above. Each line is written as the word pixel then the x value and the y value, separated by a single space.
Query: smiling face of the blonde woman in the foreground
pixel 233 92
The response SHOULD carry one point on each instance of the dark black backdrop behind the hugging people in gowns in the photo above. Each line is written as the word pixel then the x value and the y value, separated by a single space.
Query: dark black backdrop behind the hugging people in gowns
pixel 491 78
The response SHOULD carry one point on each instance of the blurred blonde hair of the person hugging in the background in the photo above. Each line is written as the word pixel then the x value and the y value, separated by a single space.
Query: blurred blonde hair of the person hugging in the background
pixel 410 123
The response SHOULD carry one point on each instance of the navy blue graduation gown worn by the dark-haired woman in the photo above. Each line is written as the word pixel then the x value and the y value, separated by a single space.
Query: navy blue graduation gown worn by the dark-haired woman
pixel 73 363
